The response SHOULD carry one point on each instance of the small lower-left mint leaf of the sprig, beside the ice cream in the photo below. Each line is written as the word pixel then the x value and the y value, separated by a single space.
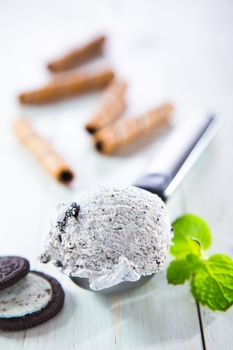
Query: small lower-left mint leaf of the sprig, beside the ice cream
pixel 178 271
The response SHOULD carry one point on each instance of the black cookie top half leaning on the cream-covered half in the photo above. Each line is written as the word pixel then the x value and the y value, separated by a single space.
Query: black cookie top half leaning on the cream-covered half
pixel 12 270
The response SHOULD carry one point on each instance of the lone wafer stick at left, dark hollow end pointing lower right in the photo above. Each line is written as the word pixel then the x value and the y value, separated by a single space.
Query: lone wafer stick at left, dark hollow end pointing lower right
pixel 42 151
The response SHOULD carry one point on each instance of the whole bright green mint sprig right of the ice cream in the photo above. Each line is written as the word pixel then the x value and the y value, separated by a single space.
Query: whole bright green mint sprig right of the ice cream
pixel 211 278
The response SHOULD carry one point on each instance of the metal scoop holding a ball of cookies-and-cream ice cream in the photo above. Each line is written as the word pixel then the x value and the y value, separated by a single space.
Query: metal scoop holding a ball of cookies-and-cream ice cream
pixel 114 236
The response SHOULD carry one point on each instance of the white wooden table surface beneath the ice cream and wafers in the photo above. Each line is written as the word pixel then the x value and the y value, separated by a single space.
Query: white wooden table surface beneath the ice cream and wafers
pixel 177 50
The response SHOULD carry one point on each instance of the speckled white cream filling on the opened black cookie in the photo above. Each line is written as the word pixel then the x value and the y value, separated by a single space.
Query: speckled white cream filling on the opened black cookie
pixel 27 296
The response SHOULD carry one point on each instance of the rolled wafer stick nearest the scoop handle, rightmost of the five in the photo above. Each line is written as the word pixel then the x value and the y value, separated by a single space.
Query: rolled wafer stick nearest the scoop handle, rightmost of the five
pixel 124 131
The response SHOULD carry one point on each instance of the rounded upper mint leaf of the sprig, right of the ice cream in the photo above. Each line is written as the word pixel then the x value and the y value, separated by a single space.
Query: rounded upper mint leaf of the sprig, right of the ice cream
pixel 191 235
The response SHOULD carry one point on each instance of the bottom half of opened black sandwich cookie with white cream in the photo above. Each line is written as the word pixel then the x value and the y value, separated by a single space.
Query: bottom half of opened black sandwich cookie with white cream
pixel 43 301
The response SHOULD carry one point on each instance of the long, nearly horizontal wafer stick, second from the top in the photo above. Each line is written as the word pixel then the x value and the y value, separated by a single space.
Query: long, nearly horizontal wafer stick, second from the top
pixel 67 86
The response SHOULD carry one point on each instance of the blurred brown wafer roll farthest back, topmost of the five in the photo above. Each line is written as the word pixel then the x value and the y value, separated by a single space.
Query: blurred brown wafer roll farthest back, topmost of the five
pixel 78 56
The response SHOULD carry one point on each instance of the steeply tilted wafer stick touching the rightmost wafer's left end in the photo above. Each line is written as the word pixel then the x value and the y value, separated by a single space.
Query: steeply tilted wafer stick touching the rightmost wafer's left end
pixel 111 107
